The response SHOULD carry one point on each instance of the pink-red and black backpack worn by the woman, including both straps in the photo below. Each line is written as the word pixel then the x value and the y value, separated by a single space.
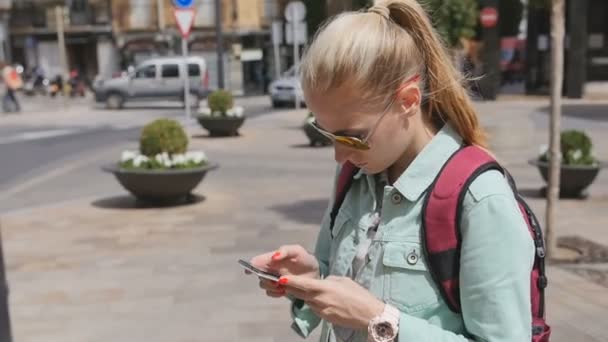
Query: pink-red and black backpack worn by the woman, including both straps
pixel 441 228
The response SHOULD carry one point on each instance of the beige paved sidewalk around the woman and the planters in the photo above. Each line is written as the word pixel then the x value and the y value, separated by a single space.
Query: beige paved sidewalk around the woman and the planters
pixel 100 269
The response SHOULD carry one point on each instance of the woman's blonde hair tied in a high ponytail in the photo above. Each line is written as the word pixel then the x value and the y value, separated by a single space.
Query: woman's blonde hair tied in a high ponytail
pixel 377 50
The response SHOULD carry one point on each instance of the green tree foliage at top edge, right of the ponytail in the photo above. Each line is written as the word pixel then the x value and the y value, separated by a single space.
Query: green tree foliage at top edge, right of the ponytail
pixel 453 19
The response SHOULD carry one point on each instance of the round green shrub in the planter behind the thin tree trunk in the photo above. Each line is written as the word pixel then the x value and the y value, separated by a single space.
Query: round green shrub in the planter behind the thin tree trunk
pixel 576 149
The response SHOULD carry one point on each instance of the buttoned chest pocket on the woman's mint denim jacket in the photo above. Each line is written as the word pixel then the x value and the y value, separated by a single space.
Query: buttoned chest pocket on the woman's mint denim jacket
pixel 408 285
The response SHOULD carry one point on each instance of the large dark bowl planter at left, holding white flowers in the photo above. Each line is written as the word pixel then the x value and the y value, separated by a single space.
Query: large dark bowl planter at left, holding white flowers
pixel 160 185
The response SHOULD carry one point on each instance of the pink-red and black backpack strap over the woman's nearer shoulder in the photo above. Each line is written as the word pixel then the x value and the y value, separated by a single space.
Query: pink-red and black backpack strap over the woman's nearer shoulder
pixel 441 218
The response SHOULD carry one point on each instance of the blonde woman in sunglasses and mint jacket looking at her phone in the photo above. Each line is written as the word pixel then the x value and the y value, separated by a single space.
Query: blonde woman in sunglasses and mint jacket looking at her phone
pixel 381 85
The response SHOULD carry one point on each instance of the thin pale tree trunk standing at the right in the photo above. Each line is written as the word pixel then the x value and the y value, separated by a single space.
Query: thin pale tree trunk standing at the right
pixel 557 76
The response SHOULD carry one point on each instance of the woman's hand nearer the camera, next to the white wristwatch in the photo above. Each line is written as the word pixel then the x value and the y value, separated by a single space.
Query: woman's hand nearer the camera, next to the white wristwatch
pixel 338 300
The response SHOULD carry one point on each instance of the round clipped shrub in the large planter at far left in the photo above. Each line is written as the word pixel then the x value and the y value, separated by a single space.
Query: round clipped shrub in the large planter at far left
pixel 163 135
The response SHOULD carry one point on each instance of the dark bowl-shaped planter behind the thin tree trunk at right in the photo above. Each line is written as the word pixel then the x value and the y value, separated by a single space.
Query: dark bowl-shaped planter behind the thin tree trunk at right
pixel 575 179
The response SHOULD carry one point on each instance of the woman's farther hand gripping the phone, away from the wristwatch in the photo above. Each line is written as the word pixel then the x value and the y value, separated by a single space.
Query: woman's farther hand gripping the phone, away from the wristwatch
pixel 287 260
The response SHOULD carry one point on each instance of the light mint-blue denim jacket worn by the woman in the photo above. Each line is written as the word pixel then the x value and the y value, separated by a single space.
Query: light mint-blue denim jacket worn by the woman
pixel 496 257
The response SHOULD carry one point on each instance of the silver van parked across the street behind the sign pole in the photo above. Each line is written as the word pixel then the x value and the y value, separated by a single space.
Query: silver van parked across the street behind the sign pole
pixel 157 78
